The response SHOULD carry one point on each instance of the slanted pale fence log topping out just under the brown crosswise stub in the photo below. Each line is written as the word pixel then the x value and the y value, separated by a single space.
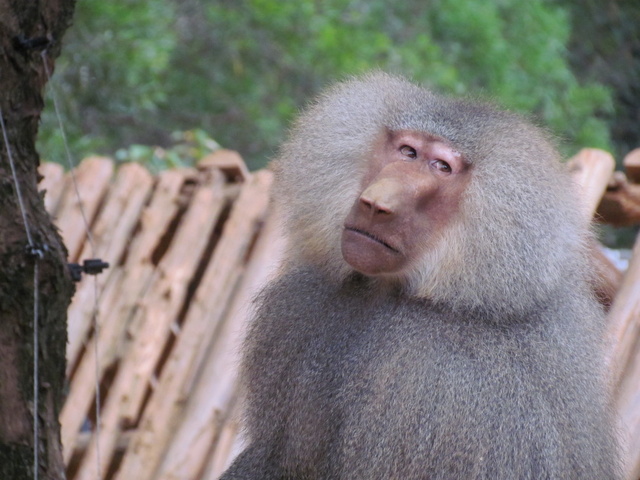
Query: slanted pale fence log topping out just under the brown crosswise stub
pixel 152 323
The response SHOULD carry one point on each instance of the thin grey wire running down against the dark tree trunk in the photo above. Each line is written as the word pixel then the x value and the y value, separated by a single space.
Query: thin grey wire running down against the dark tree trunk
pixel 36 302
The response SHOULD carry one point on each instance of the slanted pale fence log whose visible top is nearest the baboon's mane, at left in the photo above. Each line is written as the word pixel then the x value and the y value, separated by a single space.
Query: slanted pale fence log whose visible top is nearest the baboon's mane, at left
pixel 164 412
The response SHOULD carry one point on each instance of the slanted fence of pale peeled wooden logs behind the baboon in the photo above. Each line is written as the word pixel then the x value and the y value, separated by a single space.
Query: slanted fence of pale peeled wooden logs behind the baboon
pixel 188 248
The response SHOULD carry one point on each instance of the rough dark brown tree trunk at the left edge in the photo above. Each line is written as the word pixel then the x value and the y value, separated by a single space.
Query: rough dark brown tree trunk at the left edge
pixel 26 29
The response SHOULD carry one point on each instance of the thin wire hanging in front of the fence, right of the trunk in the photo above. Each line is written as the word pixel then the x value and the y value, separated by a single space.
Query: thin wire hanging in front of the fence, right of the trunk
pixel 94 315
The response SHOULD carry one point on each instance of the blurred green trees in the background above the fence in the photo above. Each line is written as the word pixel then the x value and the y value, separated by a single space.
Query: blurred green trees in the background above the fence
pixel 135 76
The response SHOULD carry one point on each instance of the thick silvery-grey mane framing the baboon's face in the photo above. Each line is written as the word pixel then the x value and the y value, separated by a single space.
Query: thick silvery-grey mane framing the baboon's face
pixel 518 216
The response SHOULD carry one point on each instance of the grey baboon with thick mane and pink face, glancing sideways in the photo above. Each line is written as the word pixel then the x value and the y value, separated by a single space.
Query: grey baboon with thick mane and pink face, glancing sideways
pixel 433 318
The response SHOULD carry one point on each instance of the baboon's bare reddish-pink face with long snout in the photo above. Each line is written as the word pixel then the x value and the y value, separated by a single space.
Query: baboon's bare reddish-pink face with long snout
pixel 410 192
